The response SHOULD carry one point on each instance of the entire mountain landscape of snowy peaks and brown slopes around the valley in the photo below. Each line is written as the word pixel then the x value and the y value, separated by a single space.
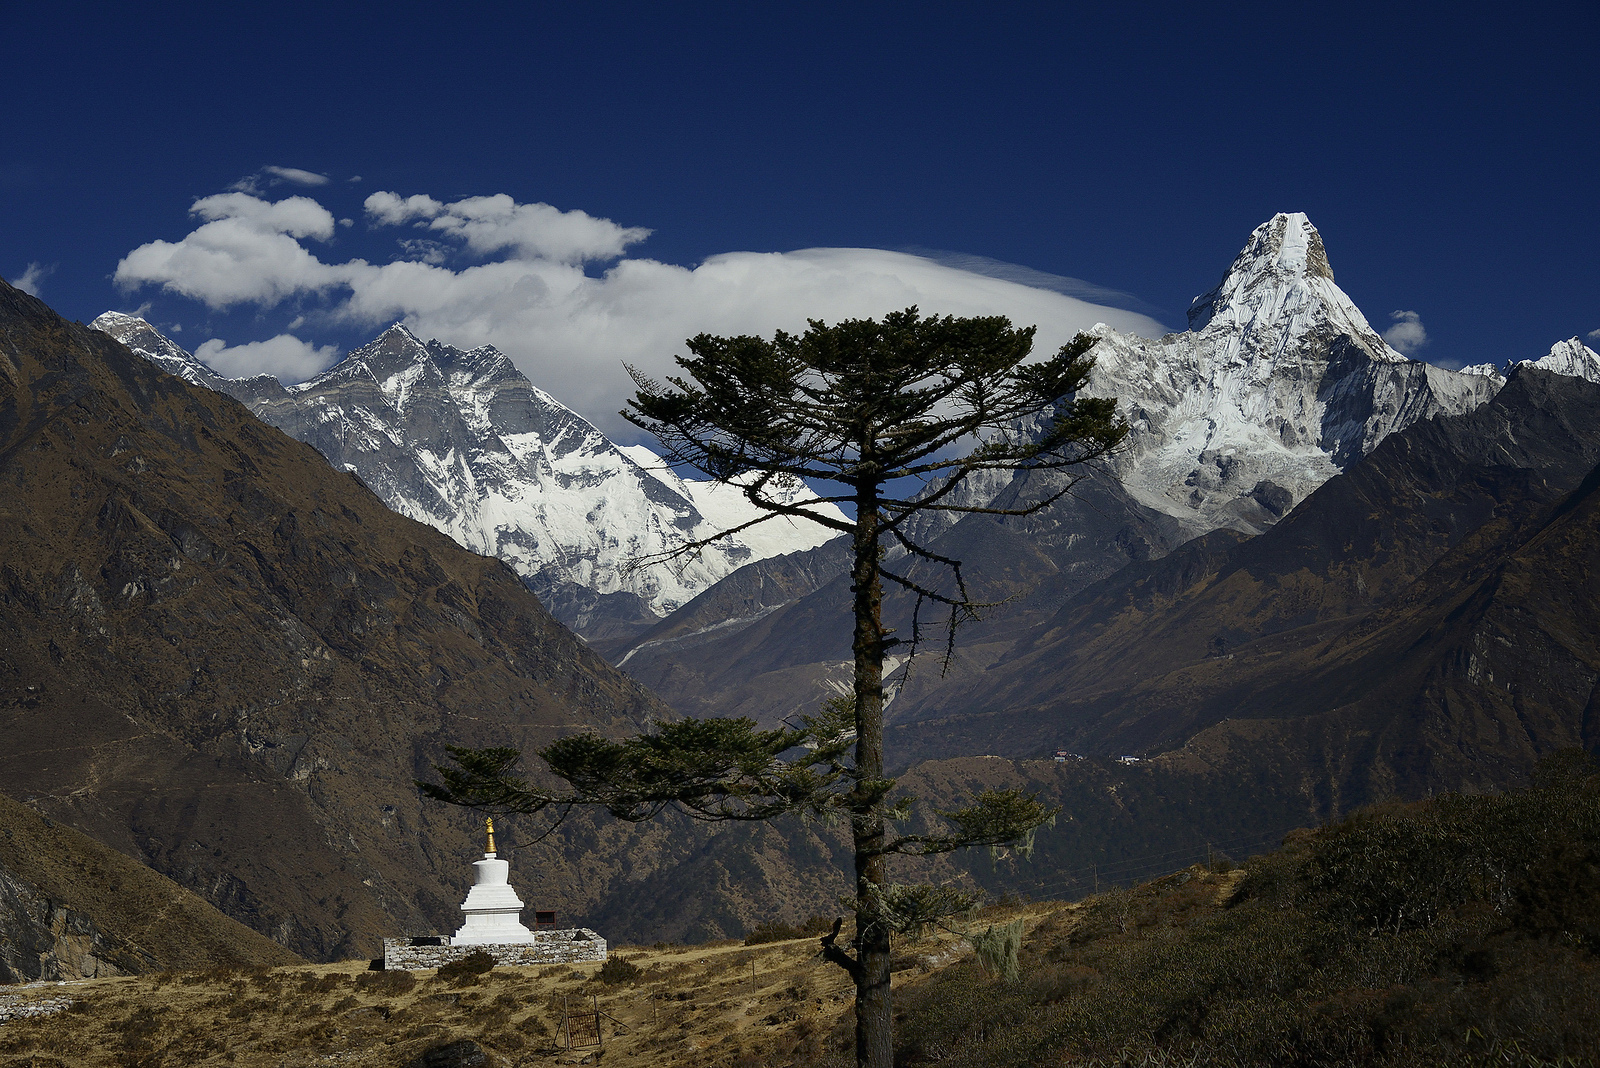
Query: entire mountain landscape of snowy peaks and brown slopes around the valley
pixel 1319 576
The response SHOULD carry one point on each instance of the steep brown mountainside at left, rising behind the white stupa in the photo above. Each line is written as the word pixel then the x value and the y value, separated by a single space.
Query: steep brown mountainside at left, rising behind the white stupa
pixel 228 661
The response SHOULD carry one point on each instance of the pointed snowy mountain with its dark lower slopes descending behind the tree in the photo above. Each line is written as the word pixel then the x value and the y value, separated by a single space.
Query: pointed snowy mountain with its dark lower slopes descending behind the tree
pixel 1278 386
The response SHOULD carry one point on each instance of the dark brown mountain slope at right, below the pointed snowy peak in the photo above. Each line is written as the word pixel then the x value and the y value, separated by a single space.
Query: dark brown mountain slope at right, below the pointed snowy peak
pixel 1356 640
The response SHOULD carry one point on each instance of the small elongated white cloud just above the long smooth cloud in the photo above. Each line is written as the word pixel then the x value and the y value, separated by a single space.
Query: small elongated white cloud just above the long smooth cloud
pixel 495 225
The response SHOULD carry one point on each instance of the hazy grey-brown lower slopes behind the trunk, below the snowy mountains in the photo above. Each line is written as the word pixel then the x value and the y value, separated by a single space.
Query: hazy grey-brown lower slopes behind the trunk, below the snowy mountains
pixel 734 653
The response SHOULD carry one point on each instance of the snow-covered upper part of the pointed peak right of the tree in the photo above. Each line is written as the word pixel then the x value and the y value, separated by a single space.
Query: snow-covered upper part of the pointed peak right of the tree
pixel 1278 385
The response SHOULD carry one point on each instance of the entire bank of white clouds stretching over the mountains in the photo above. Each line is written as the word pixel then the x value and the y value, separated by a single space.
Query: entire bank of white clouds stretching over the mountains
pixel 489 271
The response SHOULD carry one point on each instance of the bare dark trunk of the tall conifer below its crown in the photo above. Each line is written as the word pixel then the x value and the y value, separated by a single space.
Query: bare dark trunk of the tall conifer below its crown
pixel 874 1011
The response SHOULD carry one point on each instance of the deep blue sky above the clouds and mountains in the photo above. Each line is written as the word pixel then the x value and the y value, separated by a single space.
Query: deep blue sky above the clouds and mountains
pixel 1447 153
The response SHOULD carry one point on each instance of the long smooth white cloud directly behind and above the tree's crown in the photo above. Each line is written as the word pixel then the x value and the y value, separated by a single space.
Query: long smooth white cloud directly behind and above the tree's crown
pixel 572 333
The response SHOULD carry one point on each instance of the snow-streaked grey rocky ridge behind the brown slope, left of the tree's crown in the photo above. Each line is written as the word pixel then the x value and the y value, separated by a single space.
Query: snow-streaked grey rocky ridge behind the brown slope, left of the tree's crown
pixel 463 442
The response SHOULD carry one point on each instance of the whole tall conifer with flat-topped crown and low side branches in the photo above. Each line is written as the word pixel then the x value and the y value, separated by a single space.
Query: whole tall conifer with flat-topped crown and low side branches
pixel 871 408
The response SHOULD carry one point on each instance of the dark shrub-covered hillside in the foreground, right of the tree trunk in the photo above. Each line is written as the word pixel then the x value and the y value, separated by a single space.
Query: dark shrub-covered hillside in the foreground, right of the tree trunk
pixel 1463 930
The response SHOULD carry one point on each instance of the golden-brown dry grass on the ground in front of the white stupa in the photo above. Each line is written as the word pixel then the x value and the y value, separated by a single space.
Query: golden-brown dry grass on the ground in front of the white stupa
pixel 708 1005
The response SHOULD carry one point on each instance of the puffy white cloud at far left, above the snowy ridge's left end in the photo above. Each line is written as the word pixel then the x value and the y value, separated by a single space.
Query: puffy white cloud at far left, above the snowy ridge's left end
pixel 246 253
